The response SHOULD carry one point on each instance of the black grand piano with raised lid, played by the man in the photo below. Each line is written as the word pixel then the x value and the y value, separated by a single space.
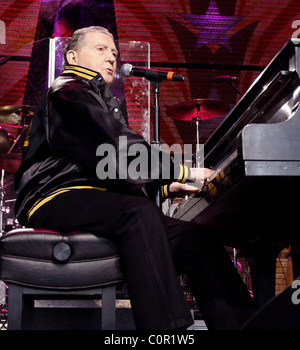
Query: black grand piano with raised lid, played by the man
pixel 251 201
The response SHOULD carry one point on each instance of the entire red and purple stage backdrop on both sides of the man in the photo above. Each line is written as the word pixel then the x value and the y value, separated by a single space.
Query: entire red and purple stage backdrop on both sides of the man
pixel 201 39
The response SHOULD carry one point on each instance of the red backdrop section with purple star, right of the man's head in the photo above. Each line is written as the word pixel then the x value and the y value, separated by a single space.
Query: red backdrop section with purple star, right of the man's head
pixel 203 39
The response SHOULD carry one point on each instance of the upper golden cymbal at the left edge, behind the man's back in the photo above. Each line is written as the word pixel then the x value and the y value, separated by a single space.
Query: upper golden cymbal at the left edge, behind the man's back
pixel 13 115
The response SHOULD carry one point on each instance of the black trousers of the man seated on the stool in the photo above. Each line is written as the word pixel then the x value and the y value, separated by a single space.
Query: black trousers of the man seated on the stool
pixel 154 250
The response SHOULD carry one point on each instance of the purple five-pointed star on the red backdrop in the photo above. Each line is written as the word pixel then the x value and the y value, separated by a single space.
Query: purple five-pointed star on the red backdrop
pixel 213 27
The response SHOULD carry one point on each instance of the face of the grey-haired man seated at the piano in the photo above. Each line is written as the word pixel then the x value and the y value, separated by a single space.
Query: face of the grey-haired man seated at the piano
pixel 97 52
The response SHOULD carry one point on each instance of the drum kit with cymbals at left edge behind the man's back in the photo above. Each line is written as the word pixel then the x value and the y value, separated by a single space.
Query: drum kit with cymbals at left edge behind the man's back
pixel 14 122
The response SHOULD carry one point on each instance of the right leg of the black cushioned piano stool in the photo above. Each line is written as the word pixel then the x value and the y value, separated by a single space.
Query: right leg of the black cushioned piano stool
pixel 109 308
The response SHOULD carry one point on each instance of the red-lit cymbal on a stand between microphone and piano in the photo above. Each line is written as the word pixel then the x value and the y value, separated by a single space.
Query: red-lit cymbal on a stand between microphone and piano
pixel 198 108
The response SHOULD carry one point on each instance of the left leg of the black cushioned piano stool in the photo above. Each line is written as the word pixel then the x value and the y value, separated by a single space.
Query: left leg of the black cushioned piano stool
pixel 15 307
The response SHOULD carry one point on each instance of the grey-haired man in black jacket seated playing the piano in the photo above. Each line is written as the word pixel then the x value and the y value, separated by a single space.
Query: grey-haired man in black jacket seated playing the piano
pixel 58 189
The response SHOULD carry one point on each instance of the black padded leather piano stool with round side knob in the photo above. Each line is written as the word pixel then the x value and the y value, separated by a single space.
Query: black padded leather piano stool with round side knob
pixel 44 264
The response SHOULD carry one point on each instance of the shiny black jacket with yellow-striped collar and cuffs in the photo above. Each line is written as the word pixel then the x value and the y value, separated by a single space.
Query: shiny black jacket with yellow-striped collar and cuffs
pixel 76 115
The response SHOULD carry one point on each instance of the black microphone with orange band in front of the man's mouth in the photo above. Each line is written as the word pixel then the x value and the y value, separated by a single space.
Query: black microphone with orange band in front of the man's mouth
pixel 153 75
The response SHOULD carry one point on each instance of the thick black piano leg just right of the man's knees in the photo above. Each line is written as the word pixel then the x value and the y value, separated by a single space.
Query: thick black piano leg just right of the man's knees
pixel 262 265
